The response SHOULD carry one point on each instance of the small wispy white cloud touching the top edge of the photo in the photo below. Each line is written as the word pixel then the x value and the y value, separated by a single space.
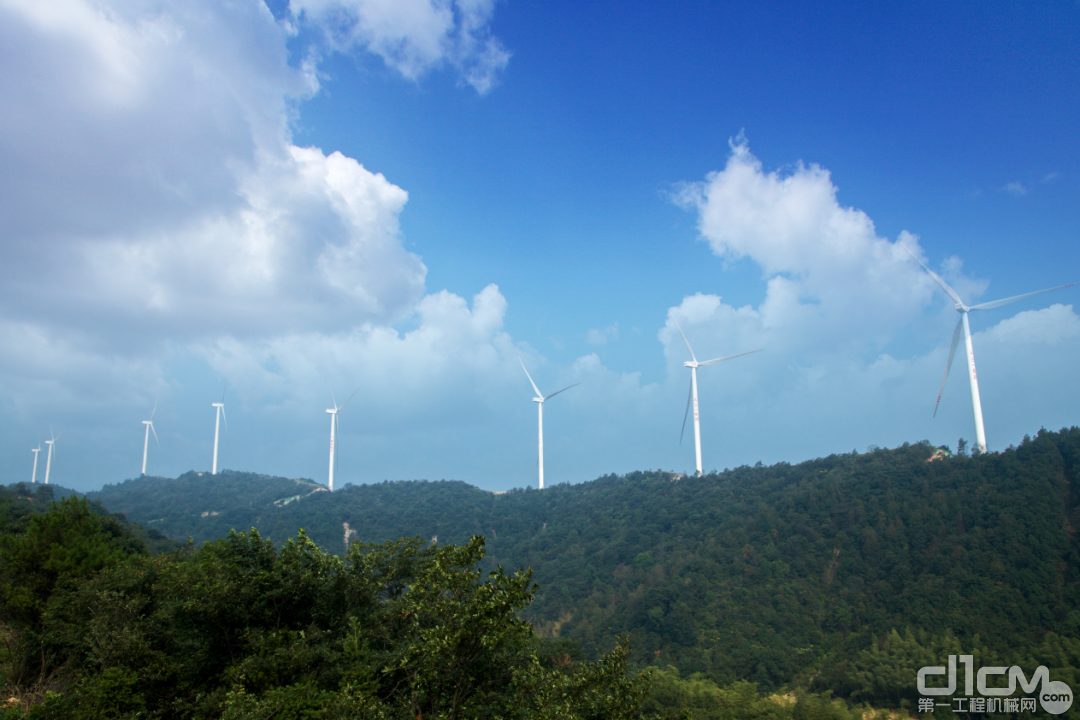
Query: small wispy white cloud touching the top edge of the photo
pixel 414 37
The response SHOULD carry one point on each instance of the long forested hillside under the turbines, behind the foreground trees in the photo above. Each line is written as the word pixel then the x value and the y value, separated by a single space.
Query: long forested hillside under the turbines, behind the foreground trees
pixel 774 575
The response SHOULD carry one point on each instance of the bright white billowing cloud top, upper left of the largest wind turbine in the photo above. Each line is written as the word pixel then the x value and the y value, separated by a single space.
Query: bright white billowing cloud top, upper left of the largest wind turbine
pixel 831 280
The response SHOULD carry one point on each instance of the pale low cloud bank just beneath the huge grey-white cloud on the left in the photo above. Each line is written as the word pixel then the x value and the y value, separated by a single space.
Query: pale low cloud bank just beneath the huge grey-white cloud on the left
pixel 453 359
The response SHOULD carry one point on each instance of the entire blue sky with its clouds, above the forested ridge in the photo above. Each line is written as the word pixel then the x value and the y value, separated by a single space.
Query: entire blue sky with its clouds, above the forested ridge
pixel 407 197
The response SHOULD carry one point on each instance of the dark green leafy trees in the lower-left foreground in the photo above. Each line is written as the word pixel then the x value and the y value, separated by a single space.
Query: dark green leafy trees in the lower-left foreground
pixel 238 629
